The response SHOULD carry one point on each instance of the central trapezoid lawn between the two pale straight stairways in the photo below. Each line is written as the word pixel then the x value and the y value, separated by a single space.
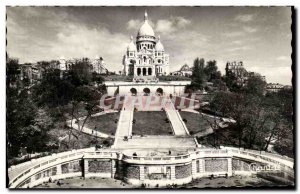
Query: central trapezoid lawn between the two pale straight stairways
pixel 151 123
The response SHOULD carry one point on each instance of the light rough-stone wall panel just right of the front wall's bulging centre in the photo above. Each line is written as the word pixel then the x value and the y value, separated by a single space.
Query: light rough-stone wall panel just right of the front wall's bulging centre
pixel 216 165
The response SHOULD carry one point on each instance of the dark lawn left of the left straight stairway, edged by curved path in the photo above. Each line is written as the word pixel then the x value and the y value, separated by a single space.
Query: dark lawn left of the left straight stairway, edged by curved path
pixel 104 123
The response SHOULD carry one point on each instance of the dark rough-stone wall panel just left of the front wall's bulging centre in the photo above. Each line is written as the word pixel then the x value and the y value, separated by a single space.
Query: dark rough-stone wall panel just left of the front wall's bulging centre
pixel 99 166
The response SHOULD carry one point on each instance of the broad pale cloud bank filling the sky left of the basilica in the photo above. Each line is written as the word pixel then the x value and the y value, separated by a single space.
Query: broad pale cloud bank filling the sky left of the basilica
pixel 71 40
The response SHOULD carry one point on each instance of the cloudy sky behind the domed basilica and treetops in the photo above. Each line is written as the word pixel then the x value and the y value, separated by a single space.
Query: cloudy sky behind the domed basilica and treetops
pixel 258 36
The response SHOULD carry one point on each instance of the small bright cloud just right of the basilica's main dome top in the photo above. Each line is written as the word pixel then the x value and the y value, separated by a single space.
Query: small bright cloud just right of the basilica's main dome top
pixel 171 25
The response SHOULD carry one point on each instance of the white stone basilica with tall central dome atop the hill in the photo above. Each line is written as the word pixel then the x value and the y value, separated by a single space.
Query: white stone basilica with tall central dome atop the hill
pixel 147 57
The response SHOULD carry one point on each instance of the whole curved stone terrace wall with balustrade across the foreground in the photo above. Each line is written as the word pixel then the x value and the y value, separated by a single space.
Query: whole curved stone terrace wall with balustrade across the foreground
pixel 161 170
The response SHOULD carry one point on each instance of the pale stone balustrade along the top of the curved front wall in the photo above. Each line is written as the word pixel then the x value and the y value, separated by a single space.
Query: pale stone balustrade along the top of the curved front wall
pixel 36 165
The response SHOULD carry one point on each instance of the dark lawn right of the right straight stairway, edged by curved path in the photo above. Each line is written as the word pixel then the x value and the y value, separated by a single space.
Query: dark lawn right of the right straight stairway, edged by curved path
pixel 196 123
